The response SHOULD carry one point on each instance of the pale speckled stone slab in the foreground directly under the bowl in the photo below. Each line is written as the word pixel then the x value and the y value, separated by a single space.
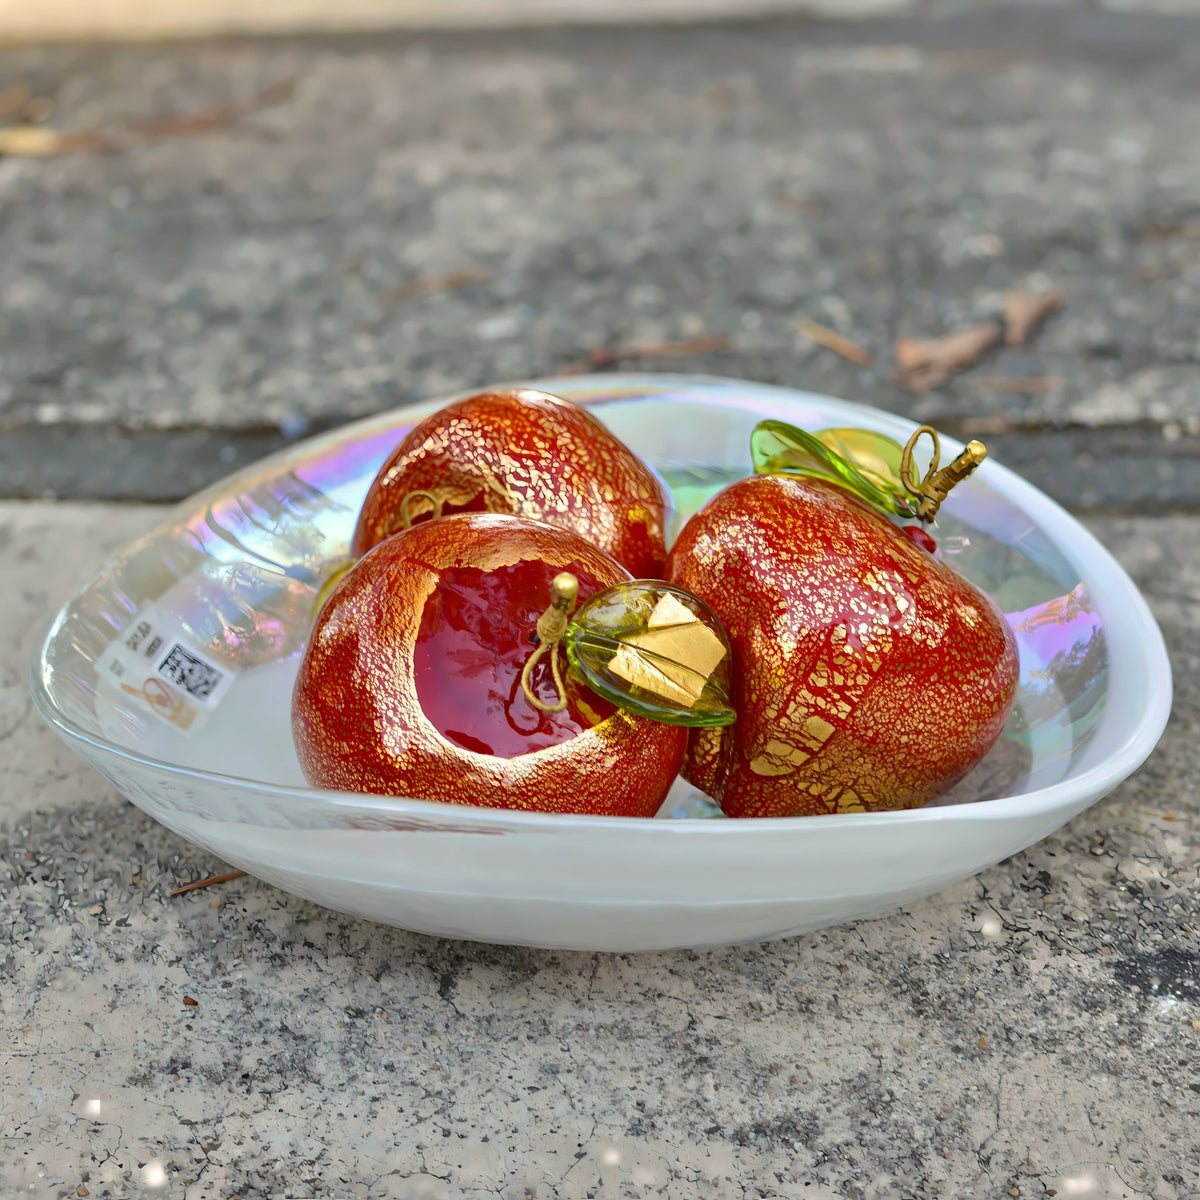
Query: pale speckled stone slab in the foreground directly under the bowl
pixel 1035 1028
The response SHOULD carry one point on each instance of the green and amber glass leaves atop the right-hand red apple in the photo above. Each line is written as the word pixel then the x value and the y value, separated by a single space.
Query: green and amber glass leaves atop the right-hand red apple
pixel 865 464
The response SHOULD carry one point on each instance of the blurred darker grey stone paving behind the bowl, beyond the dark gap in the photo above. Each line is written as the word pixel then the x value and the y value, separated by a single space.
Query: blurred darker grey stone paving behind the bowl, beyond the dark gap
pixel 609 189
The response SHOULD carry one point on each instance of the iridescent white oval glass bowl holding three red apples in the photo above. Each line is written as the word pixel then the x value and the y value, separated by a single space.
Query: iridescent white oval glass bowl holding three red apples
pixel 224 591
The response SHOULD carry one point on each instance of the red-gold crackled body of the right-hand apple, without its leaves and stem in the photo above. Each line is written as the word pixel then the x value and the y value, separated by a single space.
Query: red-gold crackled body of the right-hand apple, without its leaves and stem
pixel 867 675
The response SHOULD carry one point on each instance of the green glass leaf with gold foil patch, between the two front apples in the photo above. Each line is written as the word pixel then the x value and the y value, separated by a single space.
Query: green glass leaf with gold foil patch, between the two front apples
pixel 656 651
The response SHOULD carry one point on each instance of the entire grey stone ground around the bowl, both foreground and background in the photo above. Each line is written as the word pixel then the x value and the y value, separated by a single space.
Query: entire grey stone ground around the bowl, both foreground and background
pixel 194 302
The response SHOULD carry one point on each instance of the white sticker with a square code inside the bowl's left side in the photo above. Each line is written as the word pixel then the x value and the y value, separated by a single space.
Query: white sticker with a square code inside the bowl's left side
pixel 155 663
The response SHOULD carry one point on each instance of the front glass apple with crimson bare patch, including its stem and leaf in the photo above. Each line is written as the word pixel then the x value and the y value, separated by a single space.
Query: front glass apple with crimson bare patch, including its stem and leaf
pixel 436 670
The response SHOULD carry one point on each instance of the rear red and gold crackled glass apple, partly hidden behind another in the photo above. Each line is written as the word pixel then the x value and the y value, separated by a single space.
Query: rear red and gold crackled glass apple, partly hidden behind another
pixel 529 454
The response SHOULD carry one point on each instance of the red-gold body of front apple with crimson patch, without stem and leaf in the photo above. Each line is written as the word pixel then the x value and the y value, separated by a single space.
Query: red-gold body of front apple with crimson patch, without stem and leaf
pixel 411 683
